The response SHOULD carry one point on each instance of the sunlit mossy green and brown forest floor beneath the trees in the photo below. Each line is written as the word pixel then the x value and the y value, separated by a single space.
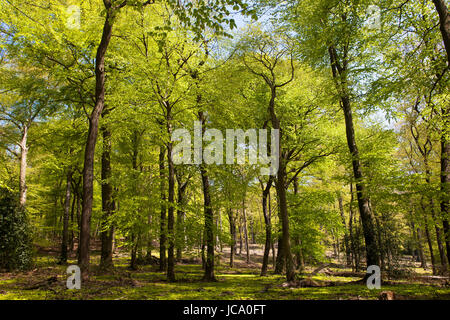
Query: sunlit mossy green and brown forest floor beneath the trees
pixel 335 282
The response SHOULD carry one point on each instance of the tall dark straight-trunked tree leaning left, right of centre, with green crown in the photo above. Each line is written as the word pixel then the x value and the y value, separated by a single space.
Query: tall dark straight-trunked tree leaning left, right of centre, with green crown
pixel 337 29
